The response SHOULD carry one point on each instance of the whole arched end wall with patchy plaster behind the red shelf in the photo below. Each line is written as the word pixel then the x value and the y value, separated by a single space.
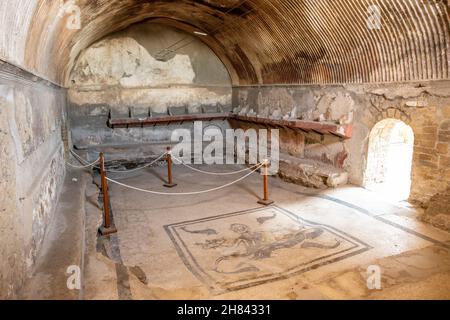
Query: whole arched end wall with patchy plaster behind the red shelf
pixel 129 74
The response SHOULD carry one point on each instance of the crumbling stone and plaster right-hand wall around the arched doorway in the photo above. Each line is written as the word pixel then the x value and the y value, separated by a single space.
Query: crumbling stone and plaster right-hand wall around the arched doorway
pixel 425 106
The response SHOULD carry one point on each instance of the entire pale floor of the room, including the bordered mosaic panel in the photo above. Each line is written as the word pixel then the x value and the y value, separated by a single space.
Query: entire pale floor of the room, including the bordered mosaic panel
pixel 309 245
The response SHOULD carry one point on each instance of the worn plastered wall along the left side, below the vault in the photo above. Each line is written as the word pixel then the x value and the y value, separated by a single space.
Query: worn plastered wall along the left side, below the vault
pixel 31 170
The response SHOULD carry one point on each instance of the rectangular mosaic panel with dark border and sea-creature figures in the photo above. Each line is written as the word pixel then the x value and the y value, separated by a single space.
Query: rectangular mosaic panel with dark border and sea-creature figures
pixel 242 249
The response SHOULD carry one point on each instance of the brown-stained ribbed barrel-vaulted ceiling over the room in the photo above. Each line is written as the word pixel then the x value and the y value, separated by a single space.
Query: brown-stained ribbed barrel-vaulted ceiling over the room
pixel 260 41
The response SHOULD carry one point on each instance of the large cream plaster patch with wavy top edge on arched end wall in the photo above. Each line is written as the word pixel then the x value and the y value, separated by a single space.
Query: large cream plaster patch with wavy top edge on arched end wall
pixel 124 62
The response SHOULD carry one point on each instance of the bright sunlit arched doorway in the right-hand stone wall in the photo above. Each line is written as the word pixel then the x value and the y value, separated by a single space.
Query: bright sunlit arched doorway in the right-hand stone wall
pixel 388 171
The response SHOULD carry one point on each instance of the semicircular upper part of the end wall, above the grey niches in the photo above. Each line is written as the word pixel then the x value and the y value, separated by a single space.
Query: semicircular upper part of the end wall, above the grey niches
pixel 120 73
